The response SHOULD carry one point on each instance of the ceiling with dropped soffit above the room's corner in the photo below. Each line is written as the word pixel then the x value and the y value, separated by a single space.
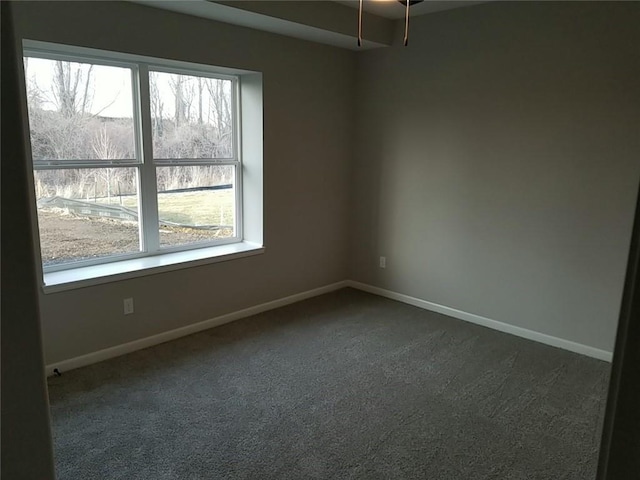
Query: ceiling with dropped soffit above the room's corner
pixel 329 22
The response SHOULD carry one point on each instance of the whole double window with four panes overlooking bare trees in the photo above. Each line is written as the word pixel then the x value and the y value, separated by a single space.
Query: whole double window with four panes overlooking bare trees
pixel 132 157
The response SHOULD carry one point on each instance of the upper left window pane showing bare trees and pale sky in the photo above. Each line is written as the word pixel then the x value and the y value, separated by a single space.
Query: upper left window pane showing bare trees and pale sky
pixel 79 111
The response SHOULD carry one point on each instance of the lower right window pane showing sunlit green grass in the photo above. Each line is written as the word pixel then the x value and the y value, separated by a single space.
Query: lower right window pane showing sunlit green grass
pixel 196 203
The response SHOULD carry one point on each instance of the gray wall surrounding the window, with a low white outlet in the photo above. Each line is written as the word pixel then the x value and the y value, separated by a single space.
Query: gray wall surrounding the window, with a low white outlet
pixel 307 153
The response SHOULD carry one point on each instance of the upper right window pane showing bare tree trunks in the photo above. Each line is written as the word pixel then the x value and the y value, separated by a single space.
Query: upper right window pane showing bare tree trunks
pixel 191 116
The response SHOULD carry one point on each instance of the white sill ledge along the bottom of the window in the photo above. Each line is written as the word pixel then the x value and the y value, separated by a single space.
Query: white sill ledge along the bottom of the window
pixel 126 269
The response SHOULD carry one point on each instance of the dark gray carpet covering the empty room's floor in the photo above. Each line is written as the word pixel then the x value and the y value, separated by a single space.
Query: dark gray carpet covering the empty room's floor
pixel 347 385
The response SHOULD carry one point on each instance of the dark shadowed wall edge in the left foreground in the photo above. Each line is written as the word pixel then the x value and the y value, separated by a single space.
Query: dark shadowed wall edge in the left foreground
pixel 26 436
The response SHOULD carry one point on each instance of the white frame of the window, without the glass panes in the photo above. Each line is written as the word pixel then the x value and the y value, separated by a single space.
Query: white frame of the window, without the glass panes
pixel 76 274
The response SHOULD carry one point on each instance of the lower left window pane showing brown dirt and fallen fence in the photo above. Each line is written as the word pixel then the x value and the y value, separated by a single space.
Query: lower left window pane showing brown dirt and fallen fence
pixel 86 213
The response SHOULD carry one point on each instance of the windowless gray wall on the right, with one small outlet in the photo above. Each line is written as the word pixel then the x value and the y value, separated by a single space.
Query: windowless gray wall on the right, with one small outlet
pixel 497 163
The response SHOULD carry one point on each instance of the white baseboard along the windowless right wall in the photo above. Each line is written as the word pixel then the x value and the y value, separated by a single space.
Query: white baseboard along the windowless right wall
pixel 487 322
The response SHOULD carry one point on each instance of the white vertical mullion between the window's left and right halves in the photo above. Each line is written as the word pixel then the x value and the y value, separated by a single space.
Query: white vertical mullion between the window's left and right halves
pixel 148 185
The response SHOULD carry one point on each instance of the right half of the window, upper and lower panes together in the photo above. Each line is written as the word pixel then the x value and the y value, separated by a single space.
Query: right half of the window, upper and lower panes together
pixel 194 151
